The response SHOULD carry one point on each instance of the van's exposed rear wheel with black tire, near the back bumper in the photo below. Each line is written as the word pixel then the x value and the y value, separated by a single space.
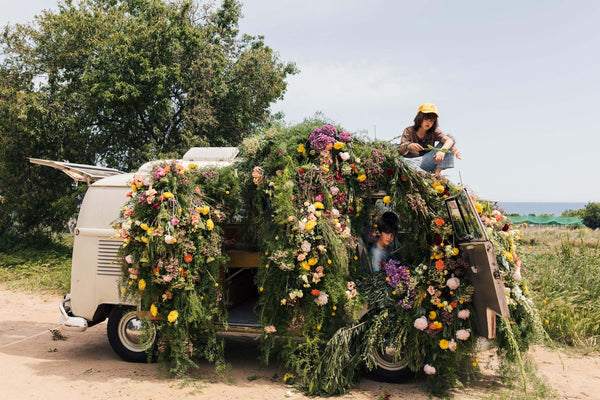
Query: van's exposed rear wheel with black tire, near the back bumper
pixel 123 330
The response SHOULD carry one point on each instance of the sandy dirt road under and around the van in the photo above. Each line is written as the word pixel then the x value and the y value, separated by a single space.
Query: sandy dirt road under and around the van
pixel 33 366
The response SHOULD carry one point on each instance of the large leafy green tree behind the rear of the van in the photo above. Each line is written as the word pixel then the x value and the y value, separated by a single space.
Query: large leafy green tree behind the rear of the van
pixel 118 82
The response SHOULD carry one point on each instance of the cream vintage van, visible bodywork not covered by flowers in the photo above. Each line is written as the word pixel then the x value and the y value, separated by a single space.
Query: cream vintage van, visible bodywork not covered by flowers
pixel 95 275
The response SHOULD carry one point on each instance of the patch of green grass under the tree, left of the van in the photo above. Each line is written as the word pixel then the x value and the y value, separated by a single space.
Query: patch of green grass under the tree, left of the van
pixel 45 269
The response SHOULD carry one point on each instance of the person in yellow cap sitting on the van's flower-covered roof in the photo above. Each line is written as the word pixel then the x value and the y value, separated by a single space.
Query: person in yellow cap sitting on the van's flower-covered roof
pixel 416 140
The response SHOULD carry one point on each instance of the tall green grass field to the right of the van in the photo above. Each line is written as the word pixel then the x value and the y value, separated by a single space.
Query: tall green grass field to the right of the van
pixel 563 268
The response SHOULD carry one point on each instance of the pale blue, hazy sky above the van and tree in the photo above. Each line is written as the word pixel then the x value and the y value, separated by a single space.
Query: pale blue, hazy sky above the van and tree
pixel 516 82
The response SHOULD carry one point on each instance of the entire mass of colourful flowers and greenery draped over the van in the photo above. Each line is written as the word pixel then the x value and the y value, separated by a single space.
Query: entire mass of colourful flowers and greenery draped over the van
pixel 312 198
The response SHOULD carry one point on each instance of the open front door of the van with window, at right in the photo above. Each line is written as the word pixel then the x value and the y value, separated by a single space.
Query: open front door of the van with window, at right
pixel 489 298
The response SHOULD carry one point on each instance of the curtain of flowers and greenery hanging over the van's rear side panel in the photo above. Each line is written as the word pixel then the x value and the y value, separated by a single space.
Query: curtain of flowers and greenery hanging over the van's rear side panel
pixel 171 255
